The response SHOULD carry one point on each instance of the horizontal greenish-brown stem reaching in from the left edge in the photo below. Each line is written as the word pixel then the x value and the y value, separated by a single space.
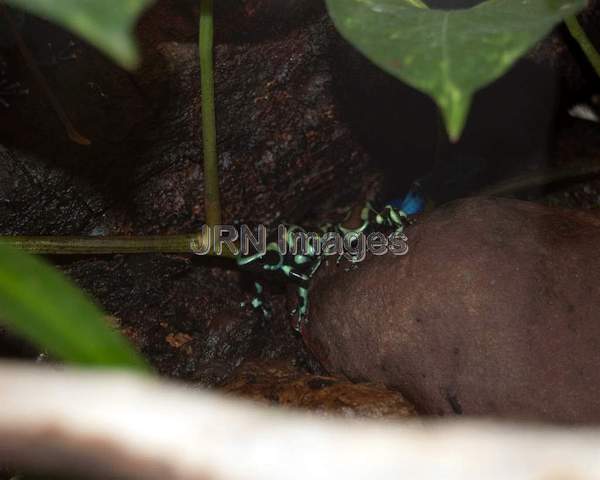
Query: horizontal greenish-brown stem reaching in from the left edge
pixel 108 245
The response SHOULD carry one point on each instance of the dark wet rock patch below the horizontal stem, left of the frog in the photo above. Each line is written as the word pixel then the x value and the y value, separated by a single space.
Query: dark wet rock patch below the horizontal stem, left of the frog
pixel 186 319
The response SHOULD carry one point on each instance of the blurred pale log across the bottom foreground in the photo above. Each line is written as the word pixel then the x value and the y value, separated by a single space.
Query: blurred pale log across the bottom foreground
pixel 118 425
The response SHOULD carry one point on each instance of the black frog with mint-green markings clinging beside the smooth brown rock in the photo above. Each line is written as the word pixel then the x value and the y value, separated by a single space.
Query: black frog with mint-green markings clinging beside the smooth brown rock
pixel 300 269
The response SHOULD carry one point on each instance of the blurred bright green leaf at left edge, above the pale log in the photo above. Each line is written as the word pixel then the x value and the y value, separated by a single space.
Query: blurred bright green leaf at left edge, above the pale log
pixel 39 303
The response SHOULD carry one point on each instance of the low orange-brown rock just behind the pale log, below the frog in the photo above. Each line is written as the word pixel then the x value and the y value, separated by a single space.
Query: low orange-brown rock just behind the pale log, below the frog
pixel 280 384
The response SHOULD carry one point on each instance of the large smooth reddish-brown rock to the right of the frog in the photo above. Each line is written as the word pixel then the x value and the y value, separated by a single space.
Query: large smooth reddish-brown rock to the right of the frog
pixel 494 311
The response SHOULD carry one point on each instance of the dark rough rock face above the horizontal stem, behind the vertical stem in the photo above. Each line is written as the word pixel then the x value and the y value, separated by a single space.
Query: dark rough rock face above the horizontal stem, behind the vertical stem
pixel 283 142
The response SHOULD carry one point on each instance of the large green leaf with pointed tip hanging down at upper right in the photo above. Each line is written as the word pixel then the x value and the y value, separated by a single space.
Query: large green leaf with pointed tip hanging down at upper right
pixel 448 55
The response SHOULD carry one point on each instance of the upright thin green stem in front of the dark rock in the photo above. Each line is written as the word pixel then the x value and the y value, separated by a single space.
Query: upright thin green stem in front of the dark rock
pixel 209 136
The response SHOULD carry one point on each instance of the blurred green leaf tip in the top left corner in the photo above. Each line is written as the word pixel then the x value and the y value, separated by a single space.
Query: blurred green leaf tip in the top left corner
pixel 106 24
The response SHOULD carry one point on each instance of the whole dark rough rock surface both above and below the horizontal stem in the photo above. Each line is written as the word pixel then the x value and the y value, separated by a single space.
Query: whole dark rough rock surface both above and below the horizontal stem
pixel 284 152
